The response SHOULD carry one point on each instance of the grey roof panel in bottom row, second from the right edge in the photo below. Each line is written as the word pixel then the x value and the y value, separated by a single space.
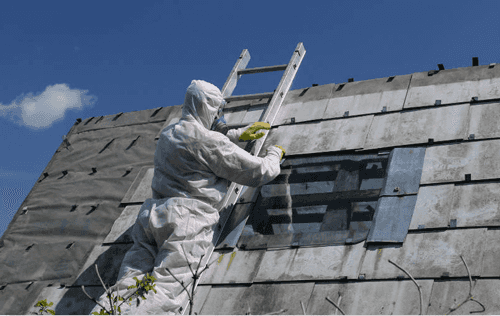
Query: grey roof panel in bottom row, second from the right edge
pixel 370 298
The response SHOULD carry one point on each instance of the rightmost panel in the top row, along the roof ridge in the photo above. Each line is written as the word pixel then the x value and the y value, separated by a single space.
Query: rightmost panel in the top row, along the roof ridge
pixel 454 86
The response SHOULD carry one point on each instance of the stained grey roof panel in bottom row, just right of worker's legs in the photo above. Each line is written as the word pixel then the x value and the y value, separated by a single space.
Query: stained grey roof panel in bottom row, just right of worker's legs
pixel 257 299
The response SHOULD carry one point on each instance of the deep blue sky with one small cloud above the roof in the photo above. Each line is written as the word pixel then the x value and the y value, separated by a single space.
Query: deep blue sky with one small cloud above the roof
pixel 63 60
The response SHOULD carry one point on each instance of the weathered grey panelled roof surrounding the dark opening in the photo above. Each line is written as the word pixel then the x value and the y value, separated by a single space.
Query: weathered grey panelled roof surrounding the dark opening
pixel 77 216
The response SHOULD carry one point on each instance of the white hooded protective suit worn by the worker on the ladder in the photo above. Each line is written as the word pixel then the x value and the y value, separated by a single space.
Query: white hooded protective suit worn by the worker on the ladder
pixel 193 168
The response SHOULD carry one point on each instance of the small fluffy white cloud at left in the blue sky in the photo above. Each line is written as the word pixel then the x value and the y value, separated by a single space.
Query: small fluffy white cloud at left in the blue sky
pixel 40 111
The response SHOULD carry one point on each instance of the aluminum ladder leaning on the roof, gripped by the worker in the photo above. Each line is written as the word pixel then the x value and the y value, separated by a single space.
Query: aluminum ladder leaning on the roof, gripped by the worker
pixel 277 97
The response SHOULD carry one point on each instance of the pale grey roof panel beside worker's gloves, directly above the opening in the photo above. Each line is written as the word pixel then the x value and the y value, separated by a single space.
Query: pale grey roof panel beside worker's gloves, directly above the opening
pixel 334 135
